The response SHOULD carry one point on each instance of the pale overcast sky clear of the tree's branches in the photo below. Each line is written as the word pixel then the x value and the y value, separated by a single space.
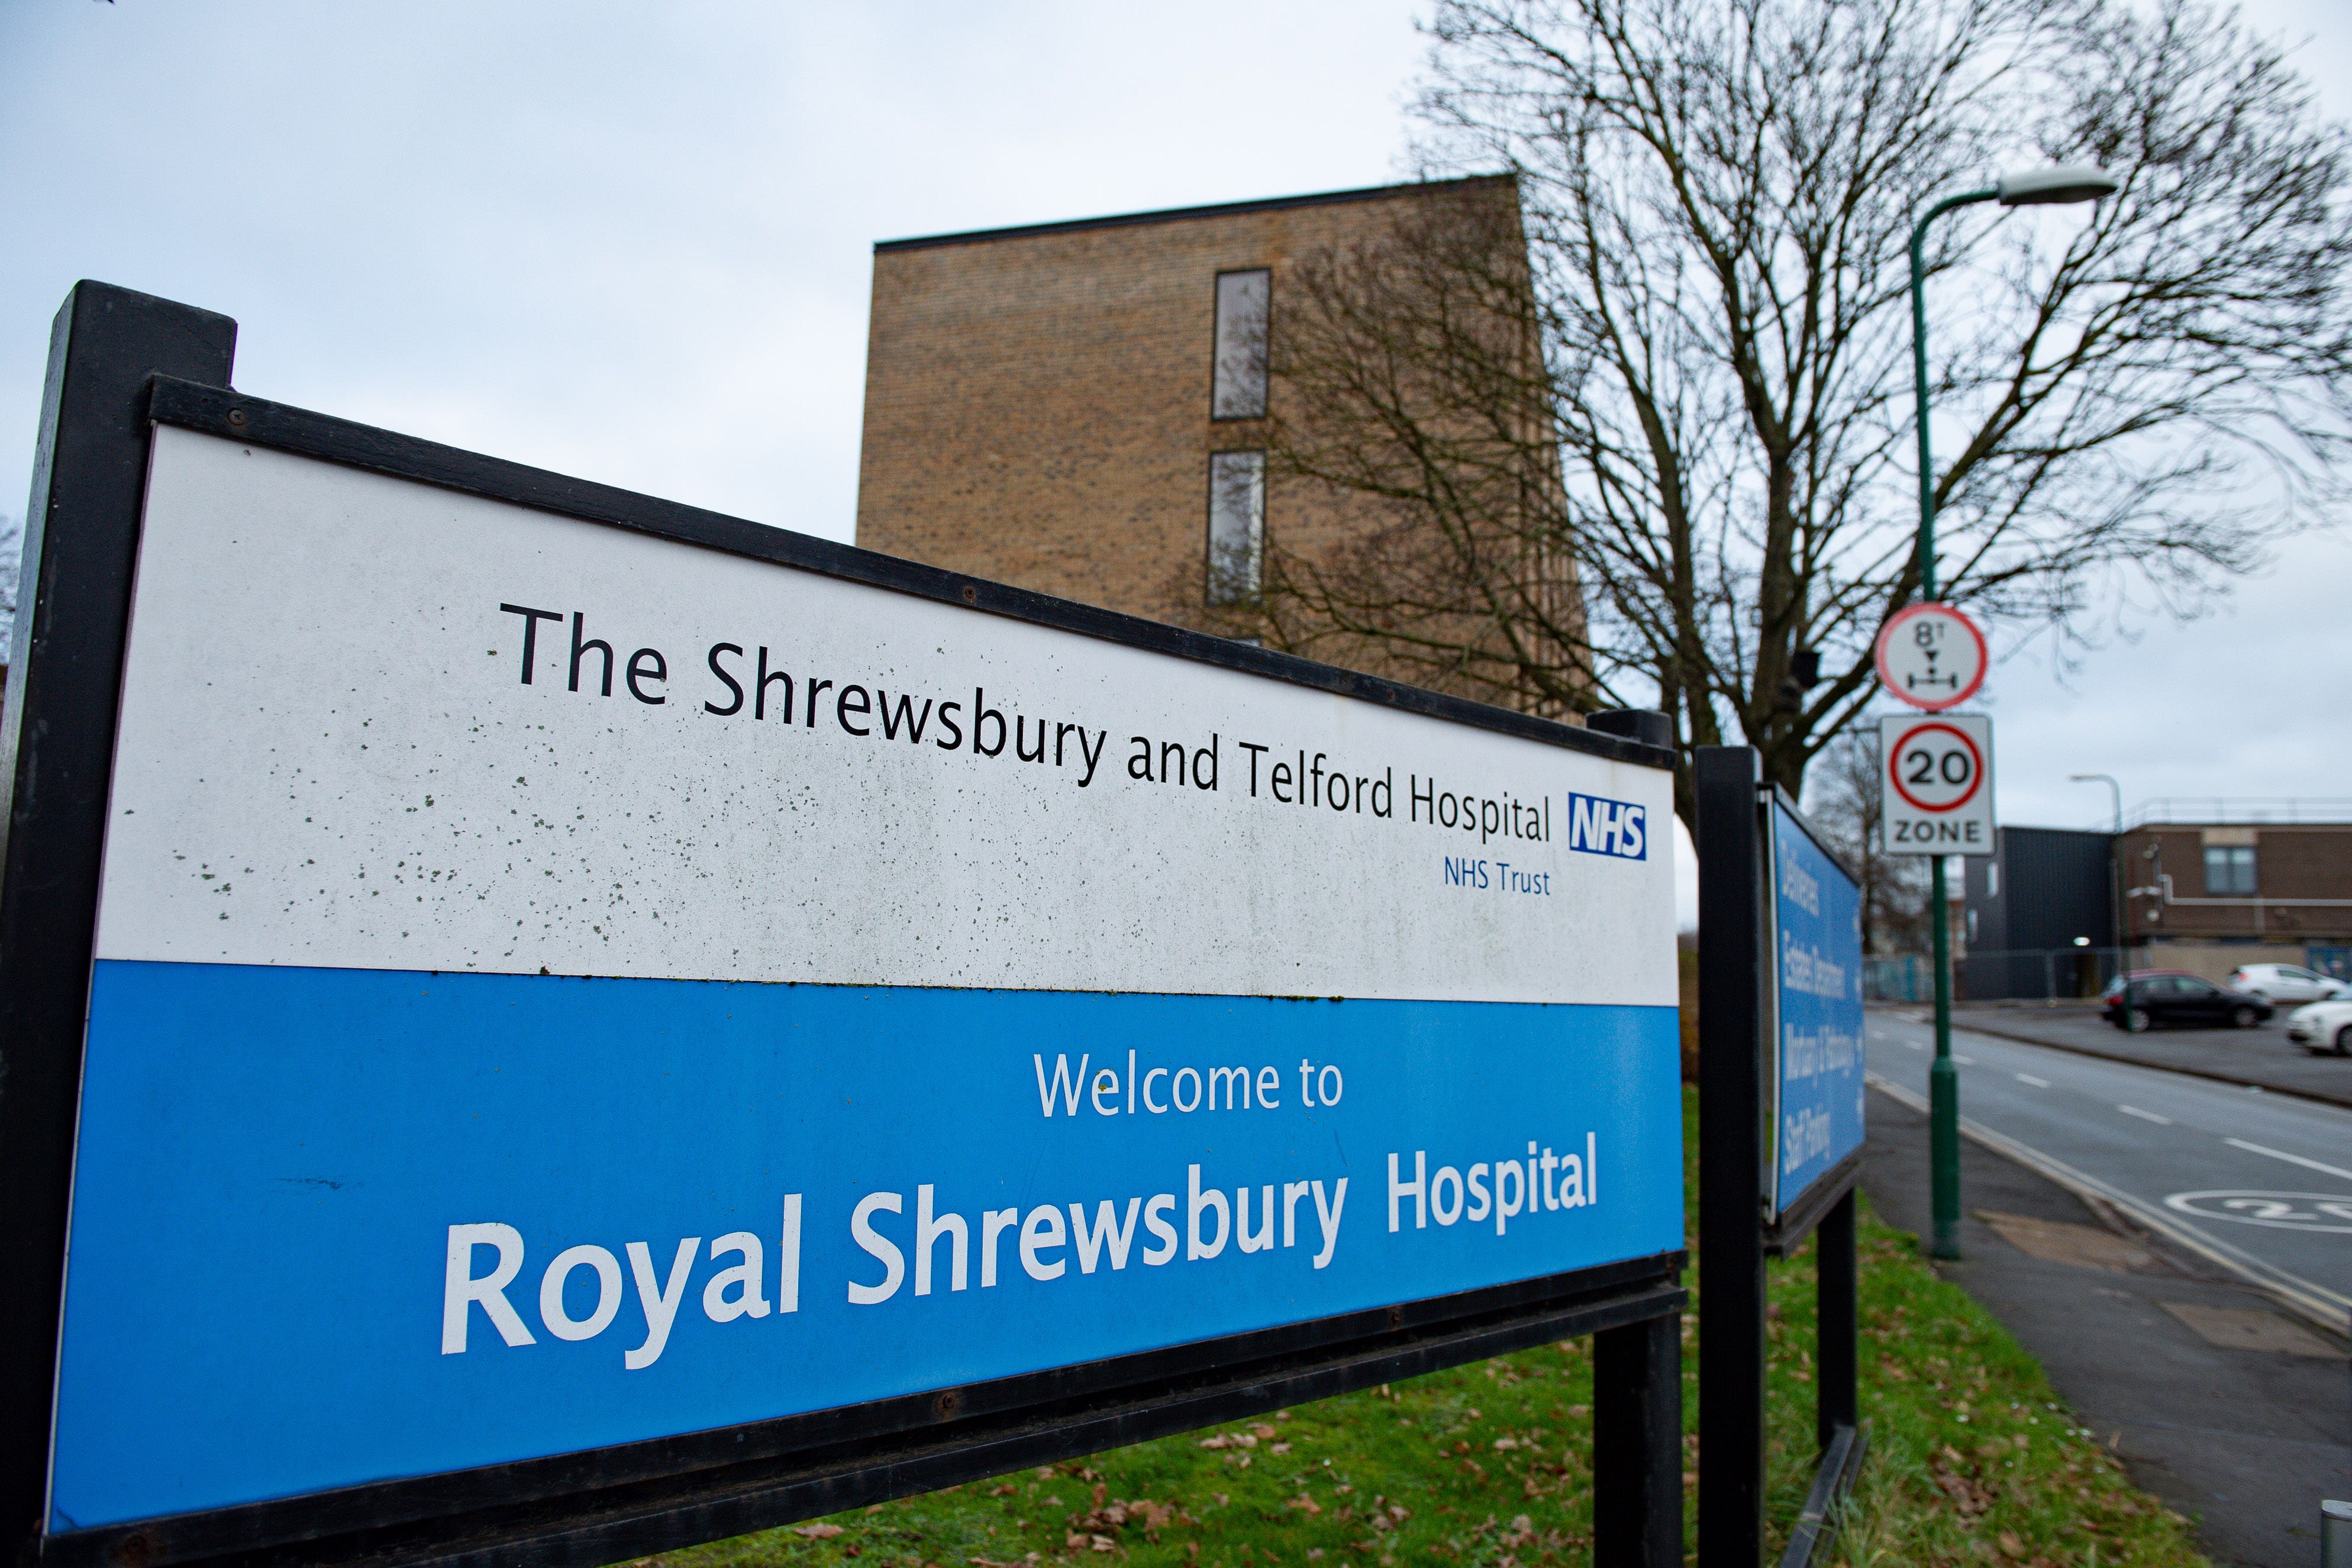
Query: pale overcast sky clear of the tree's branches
pixel 634 243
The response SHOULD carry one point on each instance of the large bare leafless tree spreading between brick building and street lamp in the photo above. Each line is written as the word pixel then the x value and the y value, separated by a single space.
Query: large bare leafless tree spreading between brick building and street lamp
pixel 1659 448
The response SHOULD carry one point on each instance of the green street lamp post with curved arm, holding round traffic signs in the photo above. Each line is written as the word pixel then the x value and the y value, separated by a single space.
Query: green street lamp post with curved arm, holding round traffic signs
pixel 2033 189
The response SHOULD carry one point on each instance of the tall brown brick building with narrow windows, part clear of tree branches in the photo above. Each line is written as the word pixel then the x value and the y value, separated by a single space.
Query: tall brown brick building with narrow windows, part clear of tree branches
pixel 1083 408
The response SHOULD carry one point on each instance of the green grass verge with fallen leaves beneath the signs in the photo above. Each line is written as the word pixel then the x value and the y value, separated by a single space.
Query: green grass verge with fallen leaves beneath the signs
pixel 1972 1461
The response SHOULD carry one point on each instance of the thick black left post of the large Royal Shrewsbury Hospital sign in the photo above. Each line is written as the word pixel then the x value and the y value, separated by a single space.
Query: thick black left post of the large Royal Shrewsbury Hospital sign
pixel 81 544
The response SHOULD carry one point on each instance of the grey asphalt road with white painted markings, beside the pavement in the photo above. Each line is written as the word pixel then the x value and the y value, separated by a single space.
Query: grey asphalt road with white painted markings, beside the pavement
pixel 2257 1174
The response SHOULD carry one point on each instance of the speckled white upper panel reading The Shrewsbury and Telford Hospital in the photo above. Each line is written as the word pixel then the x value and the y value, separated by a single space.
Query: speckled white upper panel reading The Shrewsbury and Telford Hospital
pixel 455 735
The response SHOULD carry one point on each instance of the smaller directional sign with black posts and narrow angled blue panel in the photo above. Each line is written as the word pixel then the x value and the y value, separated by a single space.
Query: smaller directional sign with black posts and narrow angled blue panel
pixel 1782 1123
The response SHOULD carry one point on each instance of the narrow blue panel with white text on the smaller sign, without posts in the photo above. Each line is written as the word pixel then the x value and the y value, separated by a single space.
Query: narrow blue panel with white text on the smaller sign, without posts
pixel 1817 989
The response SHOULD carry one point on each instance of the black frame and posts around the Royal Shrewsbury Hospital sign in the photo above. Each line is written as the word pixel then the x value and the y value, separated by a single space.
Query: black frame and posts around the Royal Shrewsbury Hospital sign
pixel 123 363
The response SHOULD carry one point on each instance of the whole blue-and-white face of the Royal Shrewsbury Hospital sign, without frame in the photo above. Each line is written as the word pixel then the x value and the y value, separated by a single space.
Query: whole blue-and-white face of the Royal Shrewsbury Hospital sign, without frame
pixel 561 989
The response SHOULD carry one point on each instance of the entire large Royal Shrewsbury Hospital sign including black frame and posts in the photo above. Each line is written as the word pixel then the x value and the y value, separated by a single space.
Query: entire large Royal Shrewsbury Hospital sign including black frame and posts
pixel 568 1026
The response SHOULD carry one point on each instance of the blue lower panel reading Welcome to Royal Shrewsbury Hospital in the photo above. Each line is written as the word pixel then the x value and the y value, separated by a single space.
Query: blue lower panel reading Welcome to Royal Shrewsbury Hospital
pixel 347 1226
